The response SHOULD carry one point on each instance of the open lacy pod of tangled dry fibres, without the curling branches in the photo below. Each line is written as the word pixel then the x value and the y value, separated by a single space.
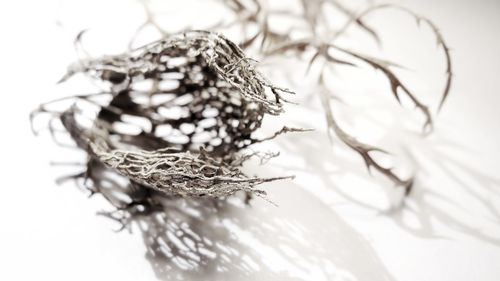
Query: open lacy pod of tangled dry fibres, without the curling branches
pixel 193 100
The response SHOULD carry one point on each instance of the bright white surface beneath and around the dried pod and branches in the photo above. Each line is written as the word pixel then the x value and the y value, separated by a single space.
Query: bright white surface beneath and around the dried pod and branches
pixel 448 230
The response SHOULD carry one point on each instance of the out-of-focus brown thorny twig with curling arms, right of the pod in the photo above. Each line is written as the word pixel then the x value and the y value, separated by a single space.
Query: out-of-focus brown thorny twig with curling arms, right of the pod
pixel 313 17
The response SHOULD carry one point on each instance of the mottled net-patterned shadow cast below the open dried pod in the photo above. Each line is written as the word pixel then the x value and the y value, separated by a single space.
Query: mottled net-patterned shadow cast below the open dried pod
pixel 227 239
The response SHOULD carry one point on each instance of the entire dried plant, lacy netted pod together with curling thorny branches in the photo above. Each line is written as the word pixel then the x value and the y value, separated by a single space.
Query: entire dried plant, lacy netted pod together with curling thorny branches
pixel 194 99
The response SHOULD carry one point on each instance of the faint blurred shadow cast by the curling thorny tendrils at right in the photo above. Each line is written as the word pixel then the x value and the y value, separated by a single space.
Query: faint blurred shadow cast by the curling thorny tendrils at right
pixel 449 190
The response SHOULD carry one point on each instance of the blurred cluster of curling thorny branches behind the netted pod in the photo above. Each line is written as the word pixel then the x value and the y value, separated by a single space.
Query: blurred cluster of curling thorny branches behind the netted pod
pixel 320 38
